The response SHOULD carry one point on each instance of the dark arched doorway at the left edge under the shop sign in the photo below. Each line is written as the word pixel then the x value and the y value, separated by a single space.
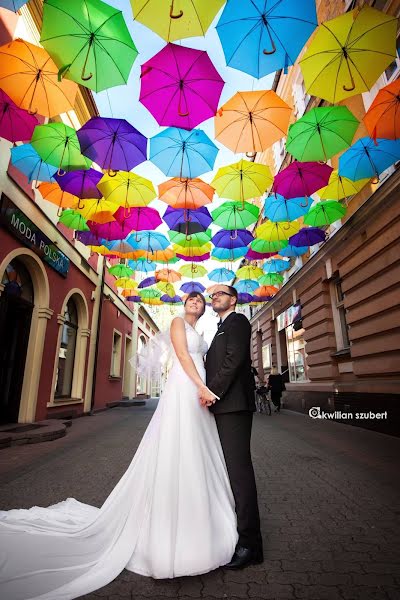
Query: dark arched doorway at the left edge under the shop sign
pixel 16 307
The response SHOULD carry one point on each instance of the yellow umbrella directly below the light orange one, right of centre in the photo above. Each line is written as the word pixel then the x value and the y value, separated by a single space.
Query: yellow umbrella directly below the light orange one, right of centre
pixel 242 180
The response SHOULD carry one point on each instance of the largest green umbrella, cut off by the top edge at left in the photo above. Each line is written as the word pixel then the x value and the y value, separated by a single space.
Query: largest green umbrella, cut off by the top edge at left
pixel 89 42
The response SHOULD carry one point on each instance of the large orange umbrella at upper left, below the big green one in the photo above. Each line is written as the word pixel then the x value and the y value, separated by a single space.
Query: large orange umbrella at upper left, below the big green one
pixel 30 77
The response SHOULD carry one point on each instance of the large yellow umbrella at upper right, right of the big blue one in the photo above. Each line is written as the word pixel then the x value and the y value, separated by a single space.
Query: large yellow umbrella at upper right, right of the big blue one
pixel 347 54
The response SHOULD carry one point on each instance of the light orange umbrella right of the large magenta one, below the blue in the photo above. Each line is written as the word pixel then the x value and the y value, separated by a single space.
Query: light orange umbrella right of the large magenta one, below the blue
pixel 252 121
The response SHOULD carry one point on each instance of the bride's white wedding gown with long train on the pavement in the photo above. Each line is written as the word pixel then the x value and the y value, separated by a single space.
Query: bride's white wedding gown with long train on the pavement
pixel 171 514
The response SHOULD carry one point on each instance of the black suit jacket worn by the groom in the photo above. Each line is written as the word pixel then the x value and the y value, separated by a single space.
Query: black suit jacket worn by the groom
pixel 228 366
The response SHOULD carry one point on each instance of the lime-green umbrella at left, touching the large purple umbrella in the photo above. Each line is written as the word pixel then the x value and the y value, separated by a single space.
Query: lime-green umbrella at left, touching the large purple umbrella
pixel 58 145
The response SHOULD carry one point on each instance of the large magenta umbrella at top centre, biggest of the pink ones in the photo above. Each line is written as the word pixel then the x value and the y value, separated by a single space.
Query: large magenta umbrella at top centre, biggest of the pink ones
pixel 180 86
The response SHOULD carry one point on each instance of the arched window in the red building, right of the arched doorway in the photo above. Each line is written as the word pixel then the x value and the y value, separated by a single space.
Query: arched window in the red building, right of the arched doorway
pixel 66 354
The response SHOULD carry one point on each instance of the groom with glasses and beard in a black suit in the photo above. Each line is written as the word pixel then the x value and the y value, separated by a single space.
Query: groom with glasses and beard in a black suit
pixel 229 378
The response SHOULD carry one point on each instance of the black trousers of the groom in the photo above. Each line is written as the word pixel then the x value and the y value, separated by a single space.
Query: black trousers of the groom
pixel 235 432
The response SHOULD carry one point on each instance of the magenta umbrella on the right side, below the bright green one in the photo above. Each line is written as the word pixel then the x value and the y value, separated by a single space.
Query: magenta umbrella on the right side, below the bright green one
pixel 301 179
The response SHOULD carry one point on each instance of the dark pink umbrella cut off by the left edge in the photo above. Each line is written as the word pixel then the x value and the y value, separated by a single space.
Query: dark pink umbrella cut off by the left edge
pixel 16 124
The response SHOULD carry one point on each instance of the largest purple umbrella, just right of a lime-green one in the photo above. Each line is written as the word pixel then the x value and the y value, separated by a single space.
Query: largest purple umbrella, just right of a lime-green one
pixel 113 144
